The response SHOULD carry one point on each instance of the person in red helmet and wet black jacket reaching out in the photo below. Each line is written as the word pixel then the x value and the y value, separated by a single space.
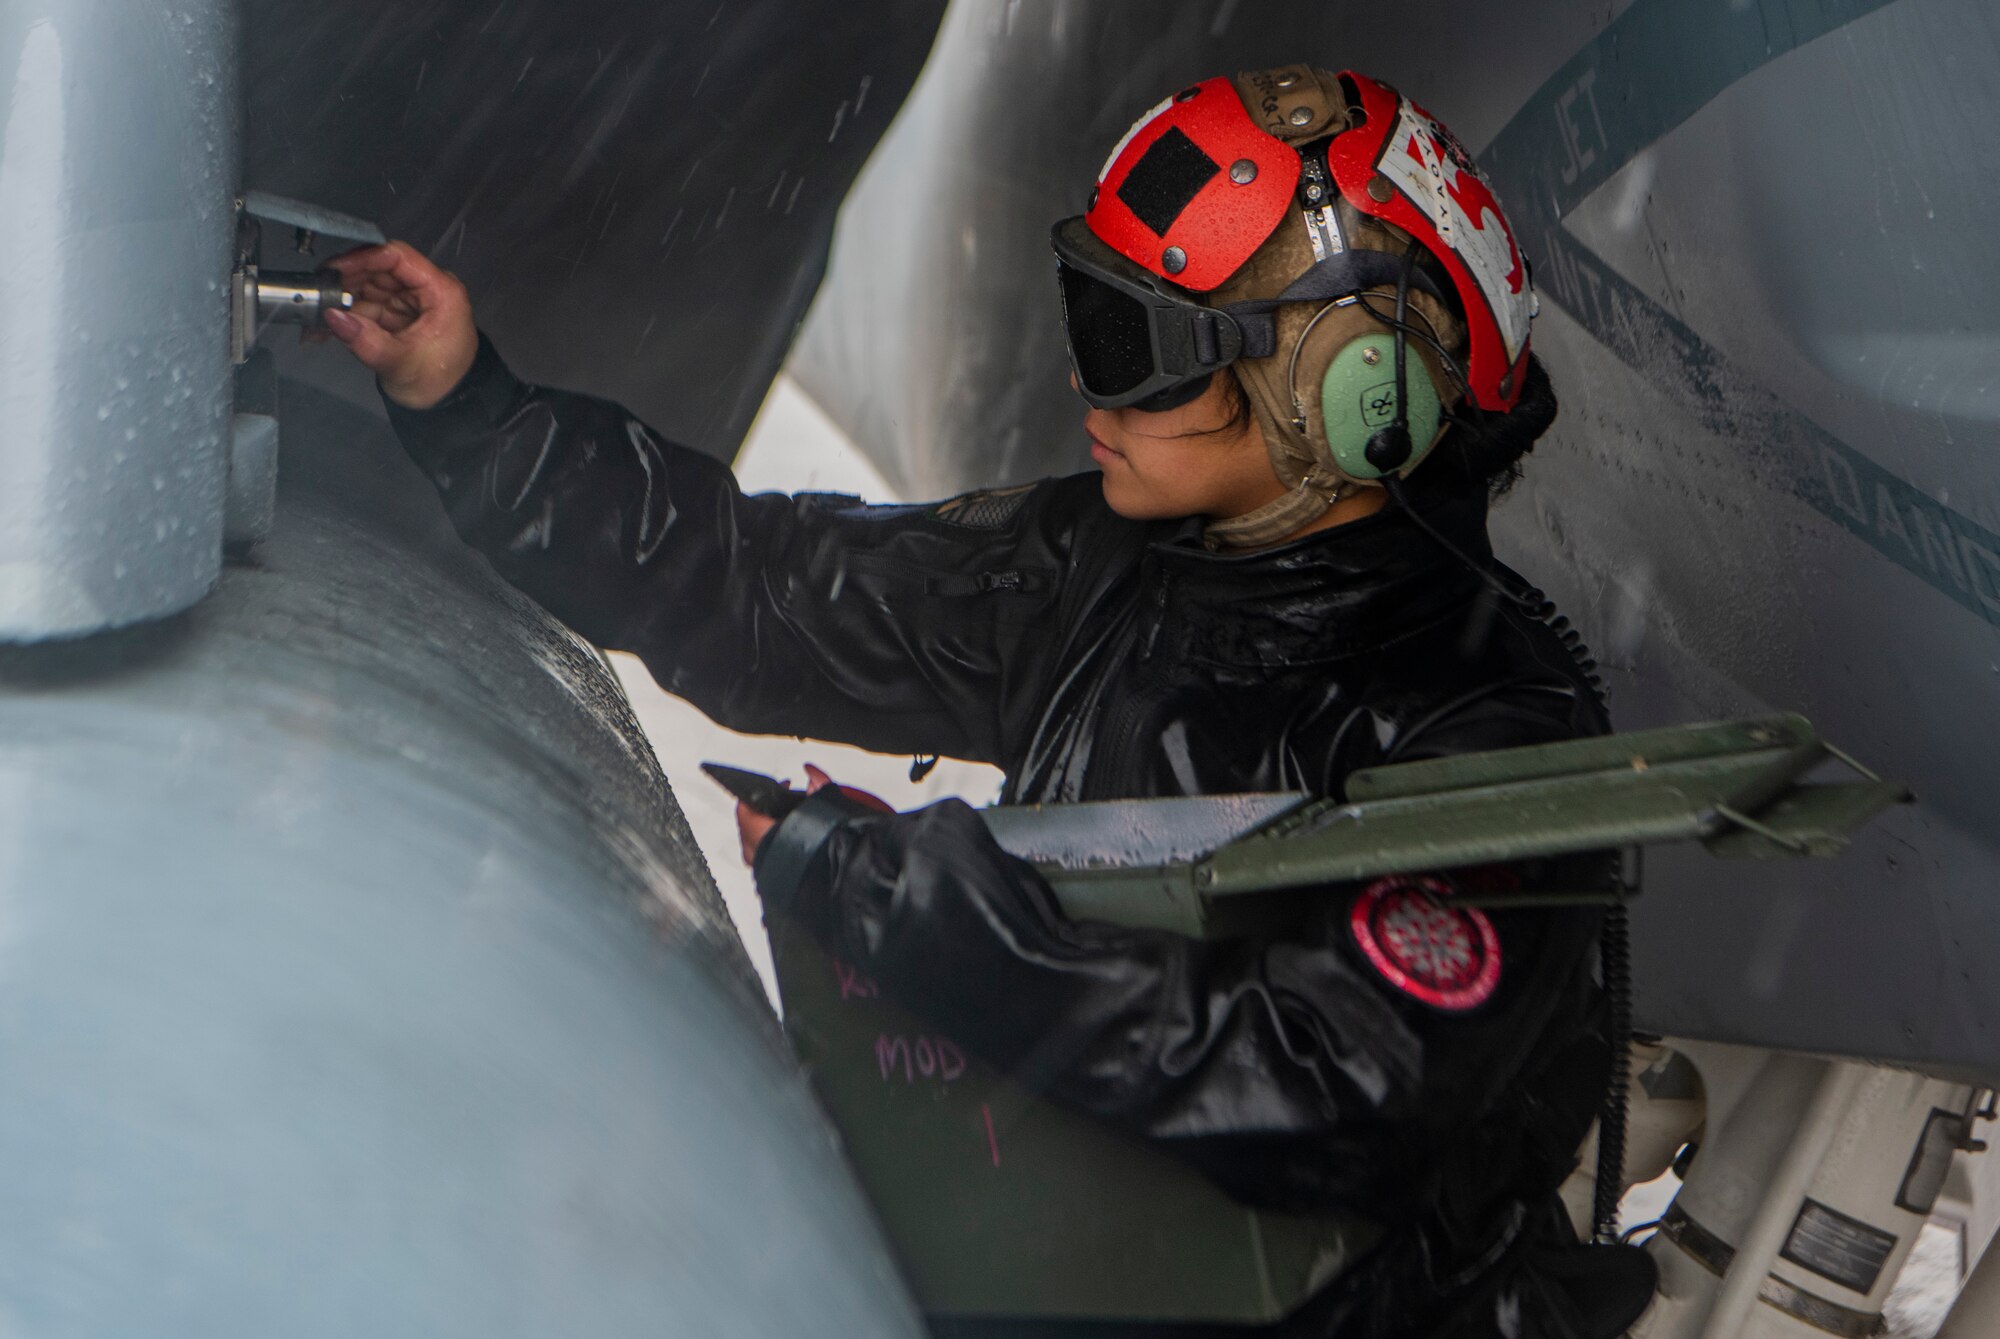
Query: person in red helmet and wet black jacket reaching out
pixel 1301 323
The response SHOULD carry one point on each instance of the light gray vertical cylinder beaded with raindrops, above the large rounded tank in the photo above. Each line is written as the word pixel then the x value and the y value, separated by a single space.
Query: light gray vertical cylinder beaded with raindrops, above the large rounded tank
pixel 119 141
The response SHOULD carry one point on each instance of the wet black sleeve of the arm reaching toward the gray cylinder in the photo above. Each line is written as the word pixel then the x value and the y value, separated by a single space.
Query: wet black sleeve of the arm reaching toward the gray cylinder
pixel 893 629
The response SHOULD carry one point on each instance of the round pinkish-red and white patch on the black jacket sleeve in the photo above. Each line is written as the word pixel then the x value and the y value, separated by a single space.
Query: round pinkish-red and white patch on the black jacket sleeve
pixel 1431 950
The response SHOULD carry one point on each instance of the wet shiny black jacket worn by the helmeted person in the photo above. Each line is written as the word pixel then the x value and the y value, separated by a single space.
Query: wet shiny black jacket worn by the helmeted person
pixel 1091 657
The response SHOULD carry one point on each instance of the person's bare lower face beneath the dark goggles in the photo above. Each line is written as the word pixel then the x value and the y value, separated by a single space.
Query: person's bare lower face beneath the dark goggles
pixel 1173 465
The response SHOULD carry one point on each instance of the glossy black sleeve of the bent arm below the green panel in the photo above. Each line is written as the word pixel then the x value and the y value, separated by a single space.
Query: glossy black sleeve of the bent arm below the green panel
pixel 1287 1070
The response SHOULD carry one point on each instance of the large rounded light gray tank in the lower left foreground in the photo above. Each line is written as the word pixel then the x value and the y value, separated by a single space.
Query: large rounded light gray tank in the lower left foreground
pixel 359 974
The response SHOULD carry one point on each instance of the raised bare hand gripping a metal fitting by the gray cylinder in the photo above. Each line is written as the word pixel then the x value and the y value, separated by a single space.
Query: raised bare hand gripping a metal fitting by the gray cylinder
pixel 411 323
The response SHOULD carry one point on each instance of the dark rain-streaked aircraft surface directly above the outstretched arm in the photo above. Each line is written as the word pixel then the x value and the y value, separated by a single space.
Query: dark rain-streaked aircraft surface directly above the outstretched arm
pixel 639 195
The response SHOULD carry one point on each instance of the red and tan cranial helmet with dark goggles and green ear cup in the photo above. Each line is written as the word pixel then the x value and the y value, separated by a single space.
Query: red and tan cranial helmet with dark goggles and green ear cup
pixel 1311 231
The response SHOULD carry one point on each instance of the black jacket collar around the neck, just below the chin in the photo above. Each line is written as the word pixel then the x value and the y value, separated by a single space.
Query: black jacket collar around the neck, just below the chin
pixel 1329 597
